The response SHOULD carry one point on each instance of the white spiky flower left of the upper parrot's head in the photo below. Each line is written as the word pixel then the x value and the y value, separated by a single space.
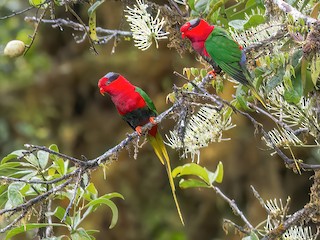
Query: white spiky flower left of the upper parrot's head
pixel 145 27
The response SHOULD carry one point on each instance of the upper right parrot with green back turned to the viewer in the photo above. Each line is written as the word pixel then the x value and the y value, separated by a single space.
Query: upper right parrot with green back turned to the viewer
pixel 214 43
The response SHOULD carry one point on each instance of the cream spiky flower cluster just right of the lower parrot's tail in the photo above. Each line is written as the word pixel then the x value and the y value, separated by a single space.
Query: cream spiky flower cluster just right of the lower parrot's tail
pixel 204 127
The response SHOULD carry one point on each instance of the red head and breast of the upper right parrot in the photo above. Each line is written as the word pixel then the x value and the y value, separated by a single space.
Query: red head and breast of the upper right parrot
pixel 197 31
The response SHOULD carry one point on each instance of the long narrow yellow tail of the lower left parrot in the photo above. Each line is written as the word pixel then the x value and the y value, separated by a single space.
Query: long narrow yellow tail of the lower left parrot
pixel 162 154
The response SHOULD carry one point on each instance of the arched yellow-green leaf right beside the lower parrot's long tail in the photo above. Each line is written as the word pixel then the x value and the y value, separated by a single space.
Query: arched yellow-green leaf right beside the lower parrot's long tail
pixel 191 169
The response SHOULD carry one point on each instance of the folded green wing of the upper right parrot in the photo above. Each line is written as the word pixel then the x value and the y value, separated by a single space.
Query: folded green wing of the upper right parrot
pixel 227 54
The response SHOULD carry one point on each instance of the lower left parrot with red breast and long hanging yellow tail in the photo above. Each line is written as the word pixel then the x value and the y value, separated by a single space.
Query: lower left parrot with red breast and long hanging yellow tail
pixel 137 109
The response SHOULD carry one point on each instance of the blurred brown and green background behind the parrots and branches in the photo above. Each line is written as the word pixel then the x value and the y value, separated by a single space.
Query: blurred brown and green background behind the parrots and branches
pixel 51 96
